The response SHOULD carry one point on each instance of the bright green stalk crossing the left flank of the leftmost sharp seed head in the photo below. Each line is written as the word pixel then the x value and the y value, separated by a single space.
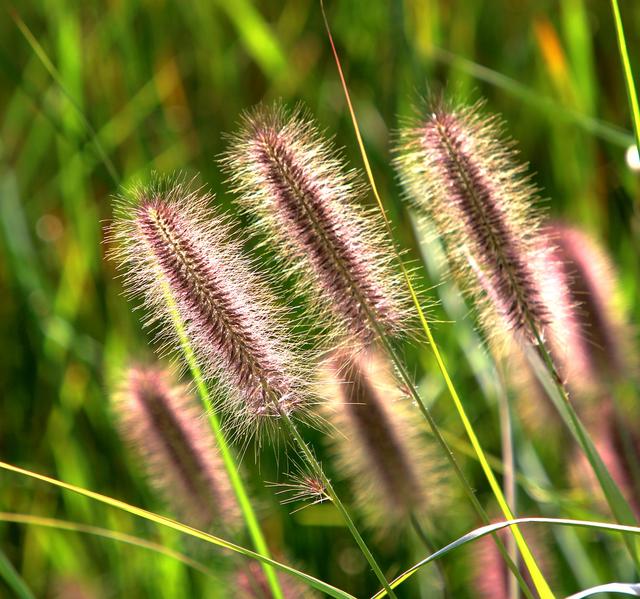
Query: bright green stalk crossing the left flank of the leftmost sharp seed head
pixel 249 515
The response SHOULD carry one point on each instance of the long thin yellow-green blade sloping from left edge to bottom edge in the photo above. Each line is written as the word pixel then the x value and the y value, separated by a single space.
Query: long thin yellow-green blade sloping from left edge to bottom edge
pixel 183 528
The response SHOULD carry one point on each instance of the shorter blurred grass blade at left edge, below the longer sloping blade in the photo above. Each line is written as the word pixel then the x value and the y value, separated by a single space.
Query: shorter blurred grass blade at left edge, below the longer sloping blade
pixel 105 533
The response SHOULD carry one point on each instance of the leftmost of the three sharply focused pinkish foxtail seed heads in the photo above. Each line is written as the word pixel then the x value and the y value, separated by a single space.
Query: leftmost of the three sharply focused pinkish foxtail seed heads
pixel 170 244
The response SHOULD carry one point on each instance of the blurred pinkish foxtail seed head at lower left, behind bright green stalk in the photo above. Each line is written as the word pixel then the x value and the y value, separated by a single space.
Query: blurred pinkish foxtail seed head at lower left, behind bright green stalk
pixel 163 424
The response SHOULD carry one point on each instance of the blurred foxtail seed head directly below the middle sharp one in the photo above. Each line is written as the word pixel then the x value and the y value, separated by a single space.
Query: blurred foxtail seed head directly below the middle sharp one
pixel 378 443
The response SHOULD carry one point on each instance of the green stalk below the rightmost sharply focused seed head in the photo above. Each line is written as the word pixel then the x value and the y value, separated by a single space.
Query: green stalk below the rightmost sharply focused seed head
pixel 620 508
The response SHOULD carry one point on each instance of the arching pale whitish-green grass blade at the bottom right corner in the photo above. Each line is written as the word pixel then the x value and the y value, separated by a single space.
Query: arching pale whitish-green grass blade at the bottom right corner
pixel 491 528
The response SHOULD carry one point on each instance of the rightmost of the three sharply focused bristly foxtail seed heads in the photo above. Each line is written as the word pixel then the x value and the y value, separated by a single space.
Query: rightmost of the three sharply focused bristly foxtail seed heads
pixel 459 171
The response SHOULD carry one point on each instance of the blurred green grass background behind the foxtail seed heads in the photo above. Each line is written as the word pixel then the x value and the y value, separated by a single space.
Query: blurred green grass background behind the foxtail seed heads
pixel 159 83
